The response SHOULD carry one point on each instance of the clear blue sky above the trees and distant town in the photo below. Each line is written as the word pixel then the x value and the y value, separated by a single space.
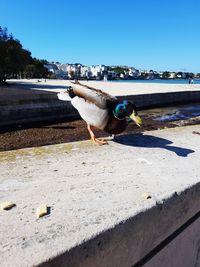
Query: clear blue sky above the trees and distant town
pixel 146 34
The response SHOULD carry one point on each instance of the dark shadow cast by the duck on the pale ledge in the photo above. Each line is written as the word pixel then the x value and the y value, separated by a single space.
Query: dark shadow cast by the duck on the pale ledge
pixel 149 141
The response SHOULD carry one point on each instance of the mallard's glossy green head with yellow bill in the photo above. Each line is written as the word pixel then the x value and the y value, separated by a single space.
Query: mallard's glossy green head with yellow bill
pixel 127 109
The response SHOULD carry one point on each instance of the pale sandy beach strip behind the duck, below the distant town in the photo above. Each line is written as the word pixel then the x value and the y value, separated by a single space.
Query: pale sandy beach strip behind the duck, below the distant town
pixel 113 88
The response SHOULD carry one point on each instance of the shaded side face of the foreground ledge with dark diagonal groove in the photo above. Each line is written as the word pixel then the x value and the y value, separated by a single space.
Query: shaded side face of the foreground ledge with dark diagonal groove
pixel 166 235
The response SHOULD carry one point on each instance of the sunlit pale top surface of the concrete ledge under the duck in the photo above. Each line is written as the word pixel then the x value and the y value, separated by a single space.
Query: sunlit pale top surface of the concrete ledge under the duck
pixel 90 189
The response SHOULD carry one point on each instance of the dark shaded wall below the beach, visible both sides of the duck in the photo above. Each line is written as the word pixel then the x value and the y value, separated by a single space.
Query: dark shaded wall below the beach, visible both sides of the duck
pixel 22 106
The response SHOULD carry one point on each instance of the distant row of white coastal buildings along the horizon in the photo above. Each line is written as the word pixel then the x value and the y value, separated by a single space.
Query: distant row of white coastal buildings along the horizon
pixel 102 72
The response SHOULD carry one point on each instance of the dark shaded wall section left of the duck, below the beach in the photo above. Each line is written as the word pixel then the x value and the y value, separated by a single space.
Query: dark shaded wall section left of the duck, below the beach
pixel 22 106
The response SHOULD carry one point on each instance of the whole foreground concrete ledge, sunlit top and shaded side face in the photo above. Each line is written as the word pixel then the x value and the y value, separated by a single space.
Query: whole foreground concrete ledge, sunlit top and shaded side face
pixel 99 216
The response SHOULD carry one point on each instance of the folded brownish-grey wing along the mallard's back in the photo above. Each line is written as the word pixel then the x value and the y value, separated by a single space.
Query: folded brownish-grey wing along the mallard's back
pixel 95 96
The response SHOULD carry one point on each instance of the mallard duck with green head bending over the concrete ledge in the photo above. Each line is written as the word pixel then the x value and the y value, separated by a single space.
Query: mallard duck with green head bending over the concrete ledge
pixel 101 110
